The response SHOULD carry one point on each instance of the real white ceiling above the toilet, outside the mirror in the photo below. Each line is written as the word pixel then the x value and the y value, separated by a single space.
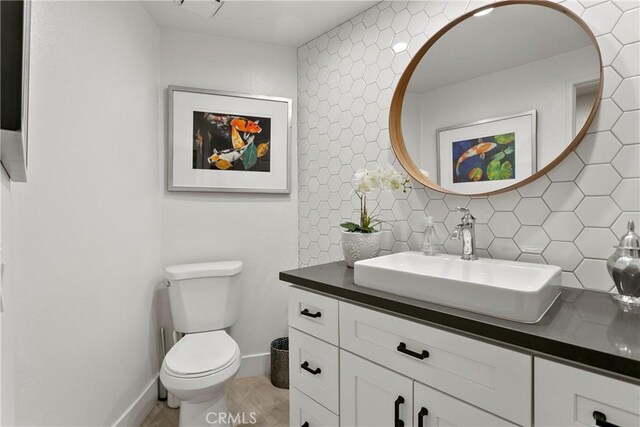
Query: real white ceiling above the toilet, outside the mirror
pixel 286 23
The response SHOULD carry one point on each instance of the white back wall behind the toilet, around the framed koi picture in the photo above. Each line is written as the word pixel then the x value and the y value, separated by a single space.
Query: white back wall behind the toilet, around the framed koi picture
pixel 260 230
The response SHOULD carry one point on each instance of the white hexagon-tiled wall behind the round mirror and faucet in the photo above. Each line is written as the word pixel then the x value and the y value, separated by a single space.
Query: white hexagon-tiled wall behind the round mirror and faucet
pixel 570 217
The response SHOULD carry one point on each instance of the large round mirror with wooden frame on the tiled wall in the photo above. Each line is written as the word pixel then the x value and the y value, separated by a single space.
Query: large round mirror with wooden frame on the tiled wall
pixel 496 98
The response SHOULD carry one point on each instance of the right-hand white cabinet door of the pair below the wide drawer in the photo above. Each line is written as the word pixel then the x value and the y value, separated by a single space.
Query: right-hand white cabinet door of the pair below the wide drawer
pixel 432 408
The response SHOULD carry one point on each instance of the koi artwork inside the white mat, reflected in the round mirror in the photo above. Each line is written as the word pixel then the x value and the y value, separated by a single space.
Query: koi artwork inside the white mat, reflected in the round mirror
pixel 490 158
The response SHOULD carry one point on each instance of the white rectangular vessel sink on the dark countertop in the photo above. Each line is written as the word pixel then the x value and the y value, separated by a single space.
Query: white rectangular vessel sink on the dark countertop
pixel 511 290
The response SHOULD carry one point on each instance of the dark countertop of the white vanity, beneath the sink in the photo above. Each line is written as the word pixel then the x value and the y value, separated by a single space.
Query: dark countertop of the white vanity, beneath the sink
pixel 583 327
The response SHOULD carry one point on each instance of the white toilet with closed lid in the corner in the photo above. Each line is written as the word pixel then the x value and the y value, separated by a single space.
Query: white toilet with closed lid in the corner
pixel 204 300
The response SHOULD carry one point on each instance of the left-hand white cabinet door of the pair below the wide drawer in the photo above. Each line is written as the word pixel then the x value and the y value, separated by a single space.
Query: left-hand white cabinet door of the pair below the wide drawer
pixel 372 396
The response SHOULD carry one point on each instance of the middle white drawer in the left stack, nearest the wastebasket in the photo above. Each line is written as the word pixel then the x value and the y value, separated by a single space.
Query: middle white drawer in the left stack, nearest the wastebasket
pixel 313 368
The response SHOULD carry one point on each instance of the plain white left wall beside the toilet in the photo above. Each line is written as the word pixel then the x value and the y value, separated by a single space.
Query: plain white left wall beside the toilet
pixel 81 239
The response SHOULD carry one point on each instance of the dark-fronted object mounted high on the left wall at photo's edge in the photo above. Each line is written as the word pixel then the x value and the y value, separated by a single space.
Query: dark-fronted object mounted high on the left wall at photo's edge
pixel 15 20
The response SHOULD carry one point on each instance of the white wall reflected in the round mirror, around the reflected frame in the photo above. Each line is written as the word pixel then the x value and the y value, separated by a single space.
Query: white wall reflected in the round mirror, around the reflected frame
pixel 543 85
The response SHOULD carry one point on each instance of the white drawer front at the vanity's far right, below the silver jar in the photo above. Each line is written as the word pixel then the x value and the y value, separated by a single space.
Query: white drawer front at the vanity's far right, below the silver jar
pixel 567 396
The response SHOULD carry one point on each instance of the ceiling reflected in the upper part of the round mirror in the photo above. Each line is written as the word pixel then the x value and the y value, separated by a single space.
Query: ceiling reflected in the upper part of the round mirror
pixel 507 37
